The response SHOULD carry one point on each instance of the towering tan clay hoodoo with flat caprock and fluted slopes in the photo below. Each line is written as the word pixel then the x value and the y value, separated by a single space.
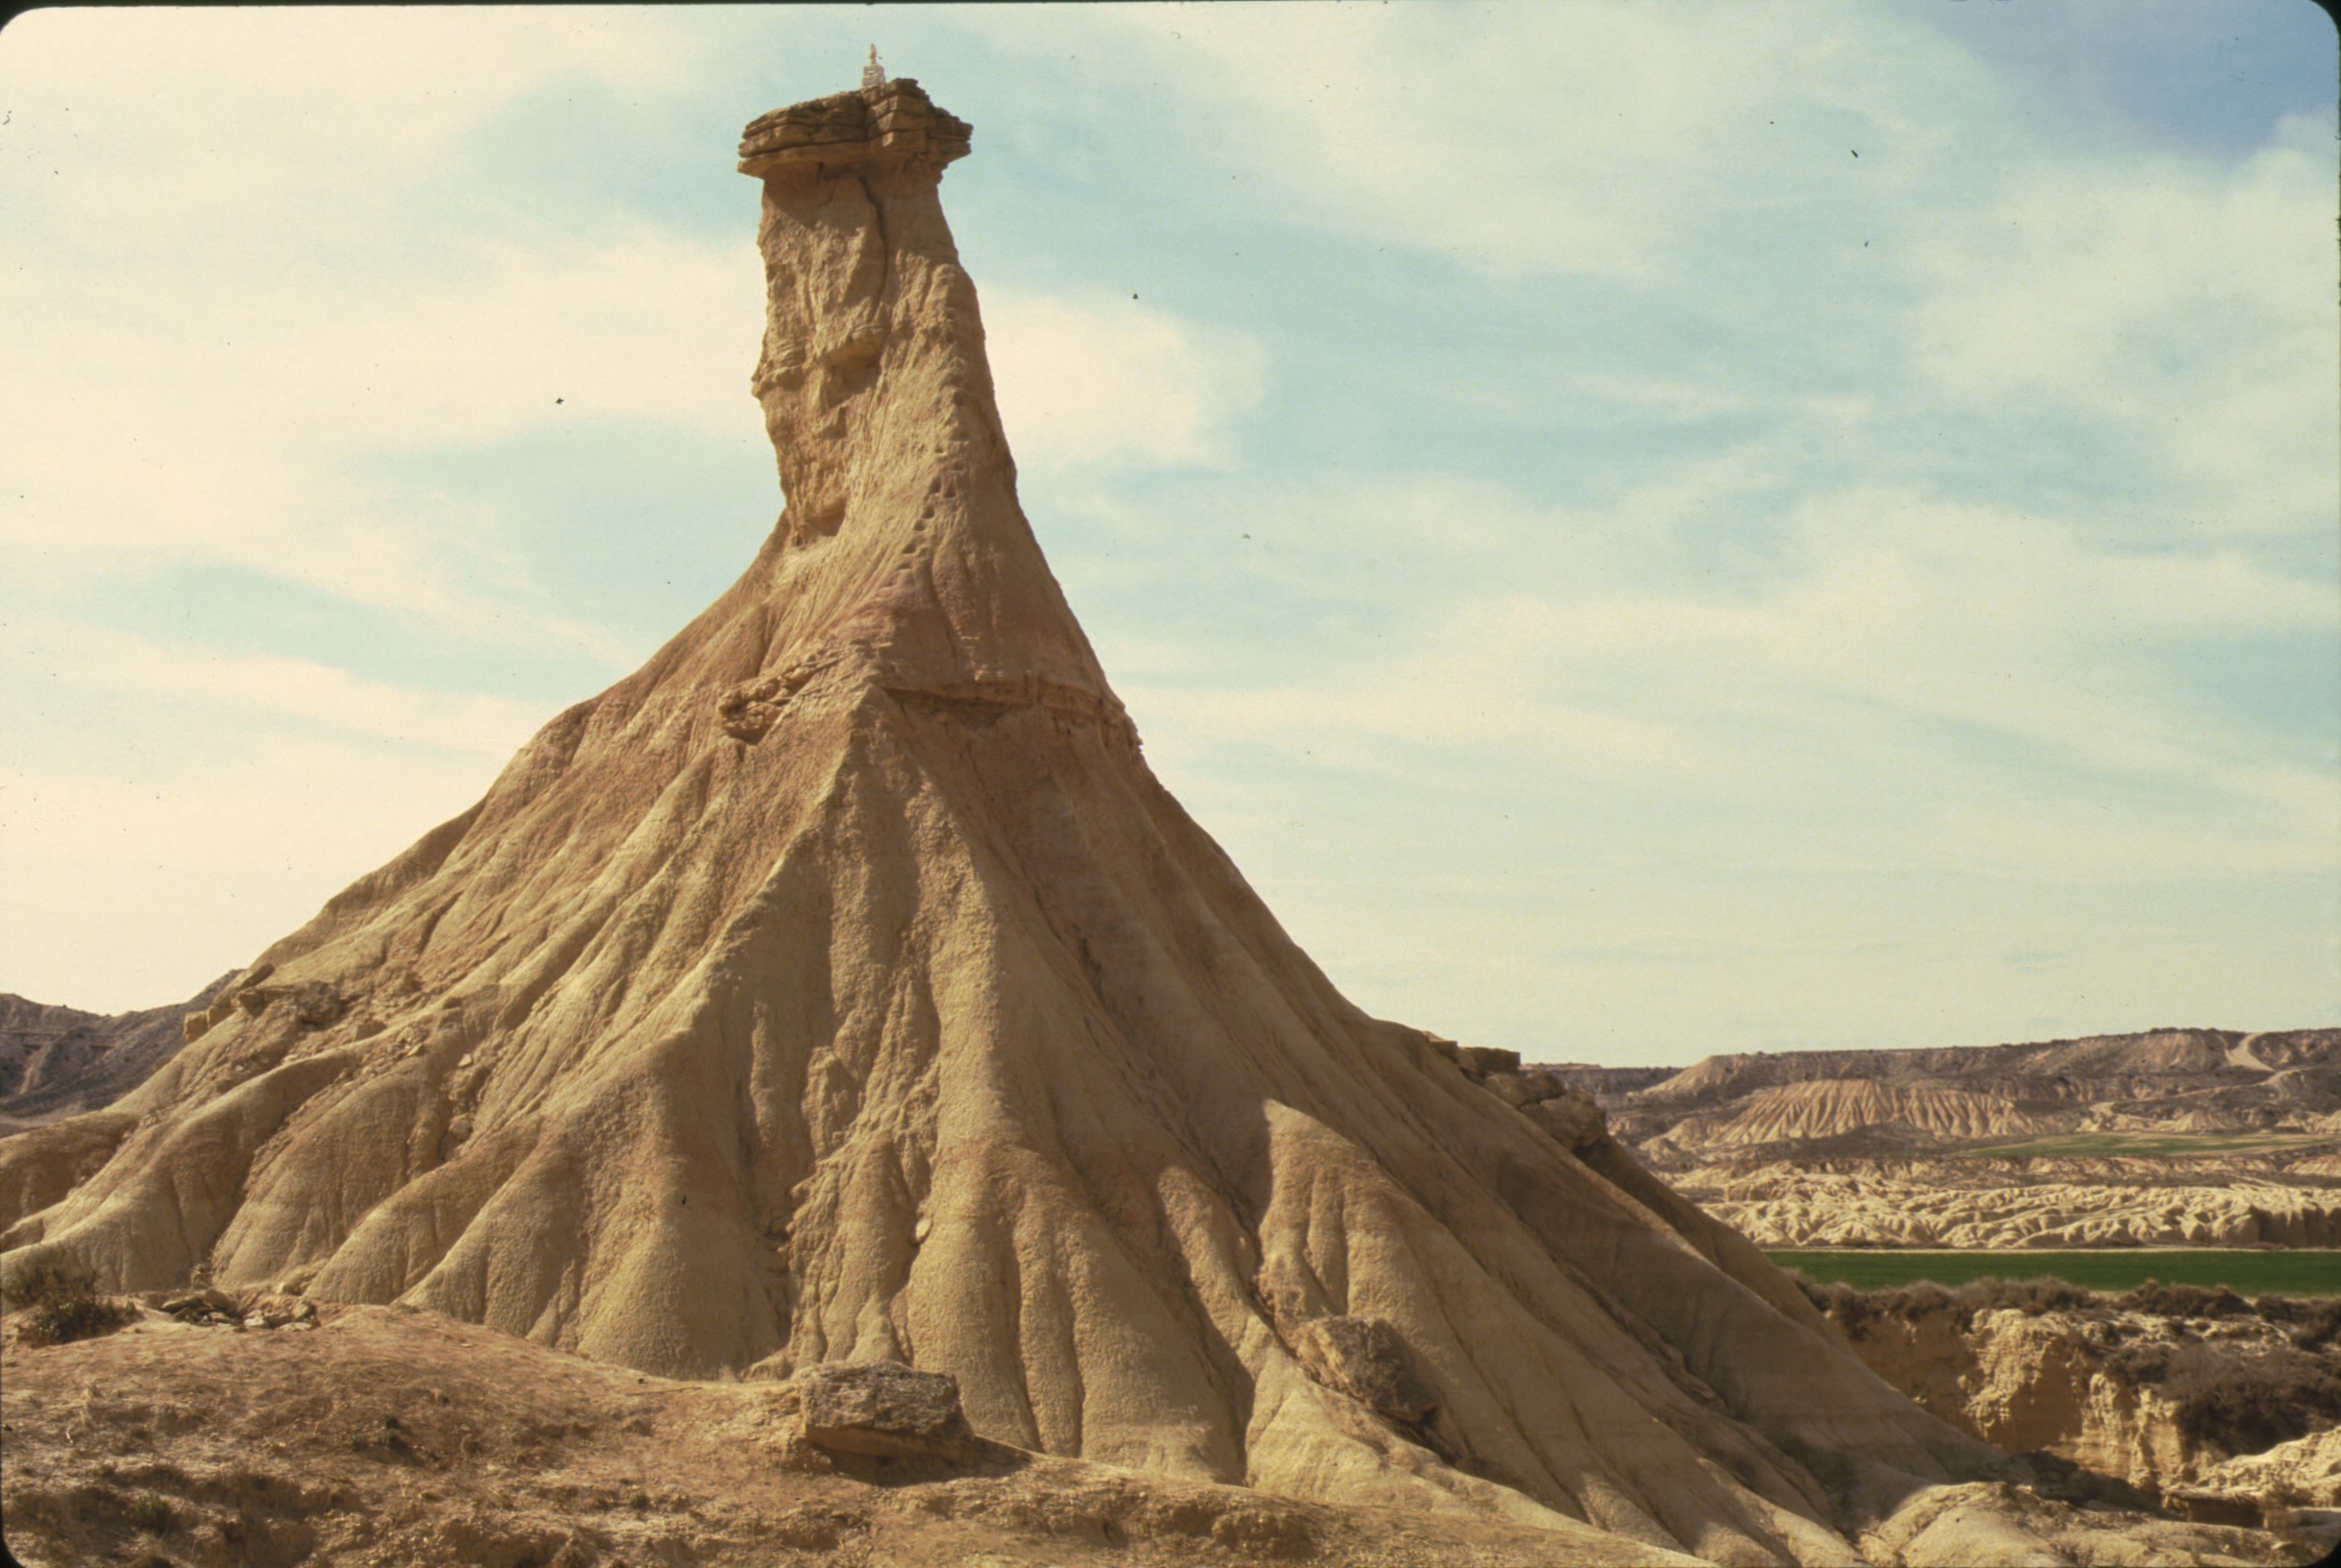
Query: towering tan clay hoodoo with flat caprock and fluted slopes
pixel 844 986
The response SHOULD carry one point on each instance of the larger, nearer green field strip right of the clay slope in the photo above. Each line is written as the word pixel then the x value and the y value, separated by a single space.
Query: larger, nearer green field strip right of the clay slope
pixel 2115 1270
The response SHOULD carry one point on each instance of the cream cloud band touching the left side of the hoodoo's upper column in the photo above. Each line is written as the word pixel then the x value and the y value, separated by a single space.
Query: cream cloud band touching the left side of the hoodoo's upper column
pixel 214 422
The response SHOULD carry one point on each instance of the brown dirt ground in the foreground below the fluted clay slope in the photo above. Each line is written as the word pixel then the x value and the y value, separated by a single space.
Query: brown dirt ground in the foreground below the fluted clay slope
pixel 392 1438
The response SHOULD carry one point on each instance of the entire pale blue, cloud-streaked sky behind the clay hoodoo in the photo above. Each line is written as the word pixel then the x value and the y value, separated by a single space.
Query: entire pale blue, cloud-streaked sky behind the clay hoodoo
pixel 1645 530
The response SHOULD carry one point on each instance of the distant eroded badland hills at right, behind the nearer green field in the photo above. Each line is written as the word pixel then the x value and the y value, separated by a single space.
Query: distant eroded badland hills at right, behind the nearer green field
pixel 2120 1141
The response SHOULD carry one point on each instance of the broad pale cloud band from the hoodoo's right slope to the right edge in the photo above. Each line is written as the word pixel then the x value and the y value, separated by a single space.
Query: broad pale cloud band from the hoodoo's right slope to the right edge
pixel 1855 680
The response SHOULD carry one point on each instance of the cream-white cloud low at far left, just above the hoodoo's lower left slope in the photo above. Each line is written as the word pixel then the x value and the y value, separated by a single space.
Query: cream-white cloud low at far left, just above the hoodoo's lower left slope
pixel 172 809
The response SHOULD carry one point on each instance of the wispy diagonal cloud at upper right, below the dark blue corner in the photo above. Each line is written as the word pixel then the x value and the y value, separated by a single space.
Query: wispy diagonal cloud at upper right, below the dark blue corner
pixel 1844 184
